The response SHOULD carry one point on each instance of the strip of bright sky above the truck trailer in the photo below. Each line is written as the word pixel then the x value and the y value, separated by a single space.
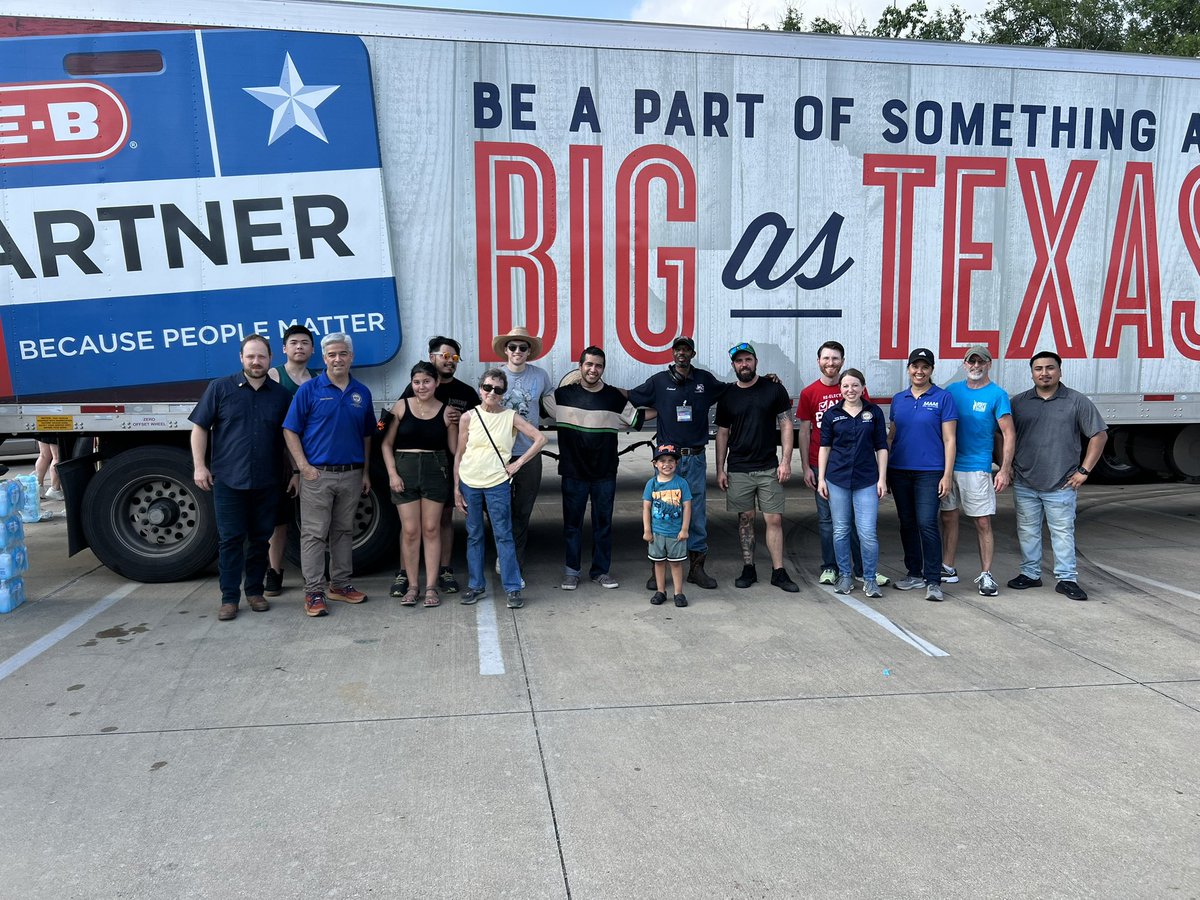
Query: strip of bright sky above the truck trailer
pixel 733 14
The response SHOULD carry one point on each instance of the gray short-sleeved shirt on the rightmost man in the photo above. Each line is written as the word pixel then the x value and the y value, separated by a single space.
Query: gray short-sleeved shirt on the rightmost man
pixel 1051 436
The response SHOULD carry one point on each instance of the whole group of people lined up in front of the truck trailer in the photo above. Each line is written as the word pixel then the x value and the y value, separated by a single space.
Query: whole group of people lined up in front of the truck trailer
pixel 481 448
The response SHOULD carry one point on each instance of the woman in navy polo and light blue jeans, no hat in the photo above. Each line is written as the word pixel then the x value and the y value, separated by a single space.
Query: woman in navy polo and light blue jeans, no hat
pixel 853 469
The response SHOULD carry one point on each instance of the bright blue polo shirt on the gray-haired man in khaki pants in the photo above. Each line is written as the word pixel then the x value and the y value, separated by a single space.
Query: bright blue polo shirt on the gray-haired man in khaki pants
pixel 331 422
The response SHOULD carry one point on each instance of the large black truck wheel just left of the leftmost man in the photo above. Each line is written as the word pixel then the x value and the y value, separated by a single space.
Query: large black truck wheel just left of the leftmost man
pixel 147 520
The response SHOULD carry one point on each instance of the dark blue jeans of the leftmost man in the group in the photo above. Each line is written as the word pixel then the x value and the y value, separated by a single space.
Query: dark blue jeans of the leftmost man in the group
pixel 245 521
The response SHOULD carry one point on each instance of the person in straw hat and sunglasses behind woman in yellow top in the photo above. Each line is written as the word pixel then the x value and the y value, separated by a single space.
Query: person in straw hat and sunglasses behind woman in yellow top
pixel 527 387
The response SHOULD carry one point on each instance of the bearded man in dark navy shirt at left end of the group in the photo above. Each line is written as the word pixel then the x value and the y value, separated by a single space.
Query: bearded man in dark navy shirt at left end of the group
pixel 243 413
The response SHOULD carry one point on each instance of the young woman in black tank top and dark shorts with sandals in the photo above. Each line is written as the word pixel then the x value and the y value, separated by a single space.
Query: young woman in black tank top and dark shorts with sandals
pixel 417 451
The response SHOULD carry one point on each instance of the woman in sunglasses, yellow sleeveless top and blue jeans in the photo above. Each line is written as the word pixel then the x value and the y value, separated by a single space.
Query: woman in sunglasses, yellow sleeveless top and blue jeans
pixel 484 466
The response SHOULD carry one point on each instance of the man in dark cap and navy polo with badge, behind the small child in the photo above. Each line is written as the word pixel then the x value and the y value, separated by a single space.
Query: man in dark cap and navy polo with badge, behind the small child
pixel 682 398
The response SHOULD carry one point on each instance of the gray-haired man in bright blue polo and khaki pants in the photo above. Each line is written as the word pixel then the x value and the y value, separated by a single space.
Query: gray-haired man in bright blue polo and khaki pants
pixel 328 433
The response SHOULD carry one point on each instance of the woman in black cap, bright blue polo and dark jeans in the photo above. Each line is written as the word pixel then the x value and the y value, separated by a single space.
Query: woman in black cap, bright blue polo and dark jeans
pixel 921 471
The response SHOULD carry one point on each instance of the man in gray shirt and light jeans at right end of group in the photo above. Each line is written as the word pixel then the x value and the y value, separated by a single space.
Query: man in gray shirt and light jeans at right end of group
pixel 1052 422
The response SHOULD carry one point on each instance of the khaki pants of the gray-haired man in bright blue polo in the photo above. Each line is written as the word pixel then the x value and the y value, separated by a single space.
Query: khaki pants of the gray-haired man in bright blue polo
pixel 327 520
